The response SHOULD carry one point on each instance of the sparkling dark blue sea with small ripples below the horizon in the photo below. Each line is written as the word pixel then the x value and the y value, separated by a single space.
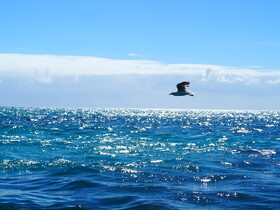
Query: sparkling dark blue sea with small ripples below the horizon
pixel 138 159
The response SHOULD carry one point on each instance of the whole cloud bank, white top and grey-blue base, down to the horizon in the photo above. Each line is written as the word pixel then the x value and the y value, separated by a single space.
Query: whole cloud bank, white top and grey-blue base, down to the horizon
pixel 80 81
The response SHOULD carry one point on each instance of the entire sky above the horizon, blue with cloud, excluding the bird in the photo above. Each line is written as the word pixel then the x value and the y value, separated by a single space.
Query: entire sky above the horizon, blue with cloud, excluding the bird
pixel 131 54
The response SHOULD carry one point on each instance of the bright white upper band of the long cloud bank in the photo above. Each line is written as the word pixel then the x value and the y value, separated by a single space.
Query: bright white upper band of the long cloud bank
pixel 44 68
